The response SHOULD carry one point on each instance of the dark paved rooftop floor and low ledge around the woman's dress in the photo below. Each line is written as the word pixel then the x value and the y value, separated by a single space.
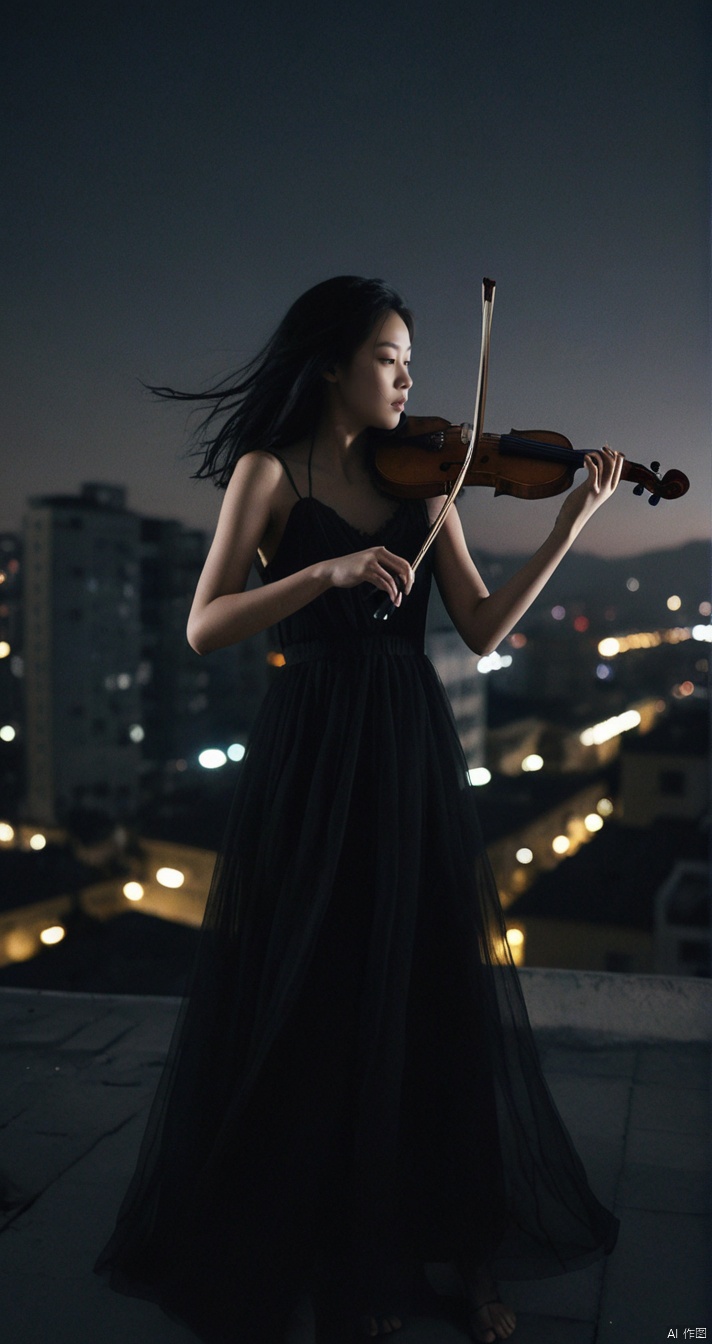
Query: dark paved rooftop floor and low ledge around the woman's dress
pixel 627 1058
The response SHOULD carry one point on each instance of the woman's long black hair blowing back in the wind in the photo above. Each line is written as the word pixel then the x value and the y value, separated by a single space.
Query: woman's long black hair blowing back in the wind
pixel 277 397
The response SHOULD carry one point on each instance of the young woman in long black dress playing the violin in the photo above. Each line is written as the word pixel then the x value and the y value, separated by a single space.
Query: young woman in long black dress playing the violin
pixel 353 1089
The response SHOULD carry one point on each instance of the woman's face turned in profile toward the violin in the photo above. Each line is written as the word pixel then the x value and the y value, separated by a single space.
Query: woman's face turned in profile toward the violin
pixel 373 389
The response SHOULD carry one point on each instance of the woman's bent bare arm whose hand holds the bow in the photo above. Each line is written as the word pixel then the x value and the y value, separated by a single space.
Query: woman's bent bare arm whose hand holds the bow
pixel 224 612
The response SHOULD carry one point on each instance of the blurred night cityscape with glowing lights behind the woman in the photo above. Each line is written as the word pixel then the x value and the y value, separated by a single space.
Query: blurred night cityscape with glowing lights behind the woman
pixel 586 736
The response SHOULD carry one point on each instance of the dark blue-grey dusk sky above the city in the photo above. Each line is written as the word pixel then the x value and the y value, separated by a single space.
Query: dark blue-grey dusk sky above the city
pixel 178 174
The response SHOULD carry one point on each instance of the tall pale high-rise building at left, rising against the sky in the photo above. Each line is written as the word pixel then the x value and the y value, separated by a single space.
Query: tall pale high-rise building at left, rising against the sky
pixel 83 651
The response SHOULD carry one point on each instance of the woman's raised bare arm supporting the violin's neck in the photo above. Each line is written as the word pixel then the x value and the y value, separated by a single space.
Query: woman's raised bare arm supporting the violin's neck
pixel 483 619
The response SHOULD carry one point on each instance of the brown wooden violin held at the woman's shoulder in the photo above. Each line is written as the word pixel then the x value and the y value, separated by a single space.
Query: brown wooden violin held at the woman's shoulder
pixel 424 456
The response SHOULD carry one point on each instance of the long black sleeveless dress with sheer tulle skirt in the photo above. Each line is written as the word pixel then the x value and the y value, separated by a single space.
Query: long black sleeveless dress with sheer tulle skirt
pixel 353 1089
